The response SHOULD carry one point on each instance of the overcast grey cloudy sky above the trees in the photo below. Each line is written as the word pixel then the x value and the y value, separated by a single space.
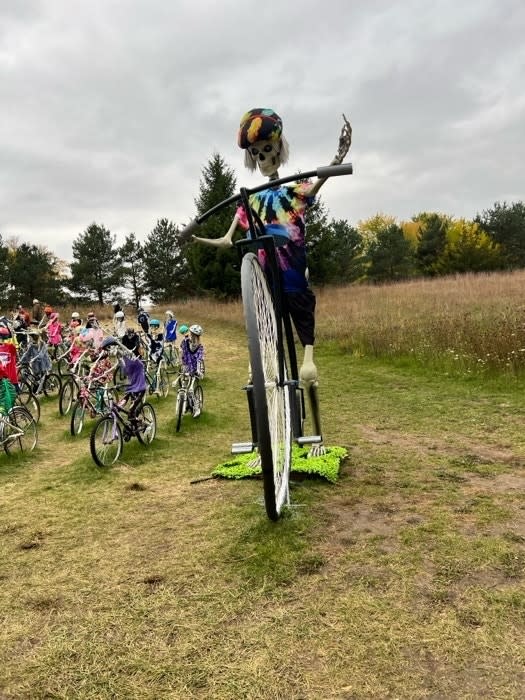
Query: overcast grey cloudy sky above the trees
pixel 111 108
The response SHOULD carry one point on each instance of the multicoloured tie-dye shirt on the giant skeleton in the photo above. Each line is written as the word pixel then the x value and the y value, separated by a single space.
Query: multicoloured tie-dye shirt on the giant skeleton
pixel 282 210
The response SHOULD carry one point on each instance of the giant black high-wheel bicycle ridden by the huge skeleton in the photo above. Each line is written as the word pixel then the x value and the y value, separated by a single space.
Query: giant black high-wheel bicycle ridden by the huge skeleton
pixel 275 398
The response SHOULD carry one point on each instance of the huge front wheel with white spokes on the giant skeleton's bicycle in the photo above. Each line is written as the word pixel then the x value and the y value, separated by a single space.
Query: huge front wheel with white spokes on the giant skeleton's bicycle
pixel 271 393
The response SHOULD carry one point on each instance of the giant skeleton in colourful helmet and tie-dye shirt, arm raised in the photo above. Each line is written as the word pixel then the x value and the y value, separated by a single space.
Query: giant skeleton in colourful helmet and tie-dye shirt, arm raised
pixel 283 210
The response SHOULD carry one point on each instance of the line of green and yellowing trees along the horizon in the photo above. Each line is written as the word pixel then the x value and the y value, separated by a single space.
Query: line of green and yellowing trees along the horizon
pixel 165 267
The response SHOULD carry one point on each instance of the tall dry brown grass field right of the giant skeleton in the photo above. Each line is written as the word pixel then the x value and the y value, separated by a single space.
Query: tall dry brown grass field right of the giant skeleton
pixel 473 323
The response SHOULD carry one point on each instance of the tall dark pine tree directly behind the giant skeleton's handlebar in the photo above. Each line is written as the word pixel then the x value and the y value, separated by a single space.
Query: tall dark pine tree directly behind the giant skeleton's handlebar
pixel 215 270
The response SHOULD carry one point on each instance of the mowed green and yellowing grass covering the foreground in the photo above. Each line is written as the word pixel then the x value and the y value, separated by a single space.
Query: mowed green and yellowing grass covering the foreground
pixel 405 579
